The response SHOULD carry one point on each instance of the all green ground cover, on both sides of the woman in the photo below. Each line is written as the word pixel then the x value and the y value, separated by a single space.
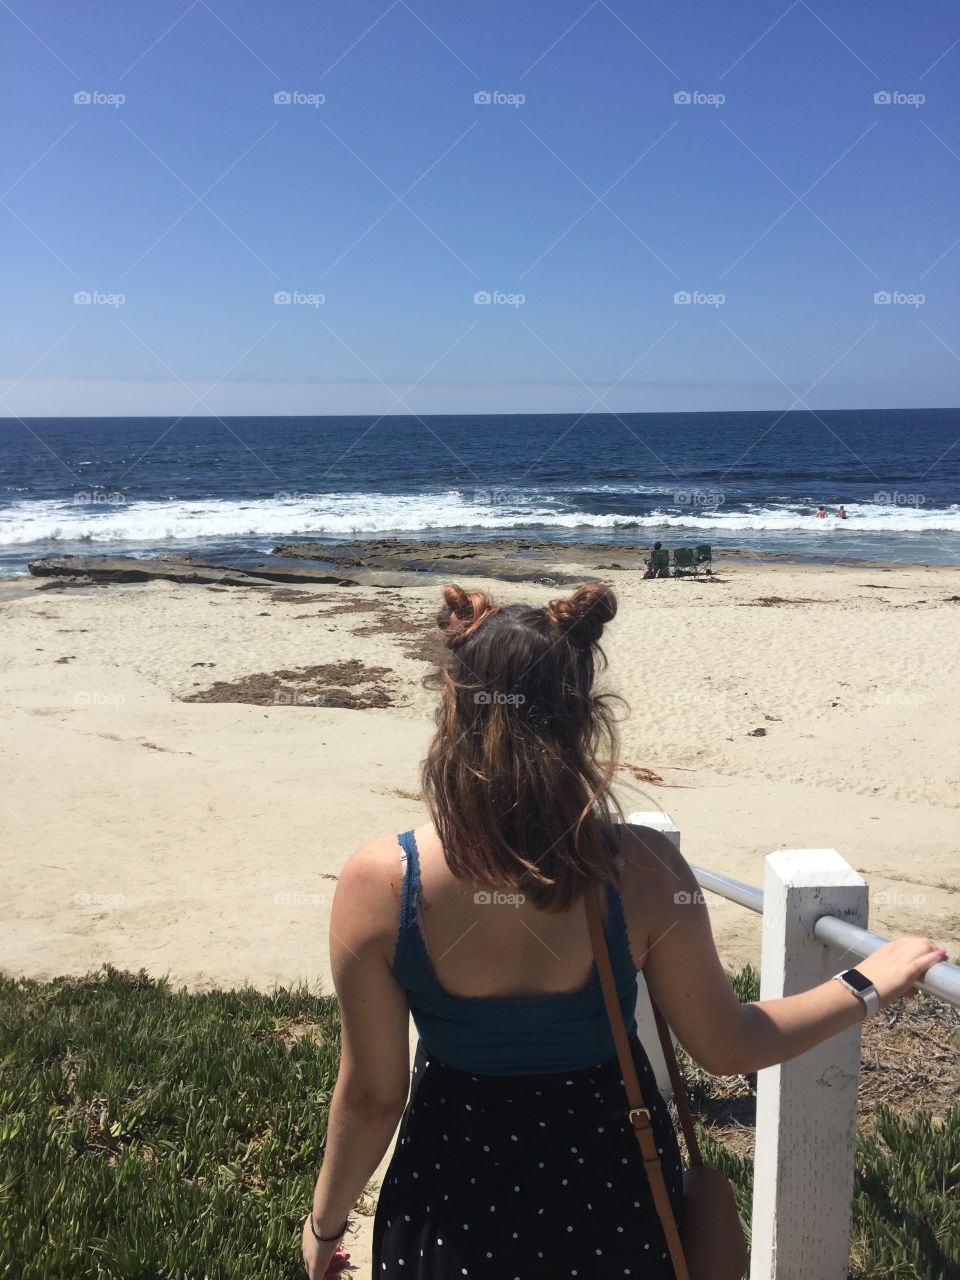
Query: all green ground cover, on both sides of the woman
pixel 158 1133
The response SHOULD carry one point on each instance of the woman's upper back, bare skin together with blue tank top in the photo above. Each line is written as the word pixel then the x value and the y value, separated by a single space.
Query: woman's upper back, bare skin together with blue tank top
pixel 497 985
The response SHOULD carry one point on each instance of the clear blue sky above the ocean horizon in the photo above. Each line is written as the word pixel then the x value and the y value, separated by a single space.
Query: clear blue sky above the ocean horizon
pixel 582 196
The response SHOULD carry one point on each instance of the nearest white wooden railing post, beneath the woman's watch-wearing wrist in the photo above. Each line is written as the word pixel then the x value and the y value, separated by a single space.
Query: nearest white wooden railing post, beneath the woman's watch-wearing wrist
pixel 807 1108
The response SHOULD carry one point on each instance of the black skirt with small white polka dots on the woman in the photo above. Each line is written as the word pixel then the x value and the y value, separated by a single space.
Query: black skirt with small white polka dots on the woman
pixel 524 1178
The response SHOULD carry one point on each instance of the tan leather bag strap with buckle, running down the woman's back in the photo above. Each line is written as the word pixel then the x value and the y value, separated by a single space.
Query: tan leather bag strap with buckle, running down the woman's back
pixel 638 1114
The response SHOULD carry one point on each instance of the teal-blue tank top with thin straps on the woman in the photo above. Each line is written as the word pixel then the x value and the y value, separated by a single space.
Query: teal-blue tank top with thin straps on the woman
pixel 510 1035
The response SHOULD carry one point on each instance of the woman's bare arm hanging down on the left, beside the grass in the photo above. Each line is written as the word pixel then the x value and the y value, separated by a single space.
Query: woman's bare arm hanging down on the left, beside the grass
pixel 374 1078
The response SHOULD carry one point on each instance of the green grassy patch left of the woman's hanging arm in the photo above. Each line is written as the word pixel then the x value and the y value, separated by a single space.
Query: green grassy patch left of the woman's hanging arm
pixel 147 1132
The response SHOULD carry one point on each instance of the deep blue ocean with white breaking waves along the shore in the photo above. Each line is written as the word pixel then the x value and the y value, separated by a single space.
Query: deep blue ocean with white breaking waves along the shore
pixel 228 488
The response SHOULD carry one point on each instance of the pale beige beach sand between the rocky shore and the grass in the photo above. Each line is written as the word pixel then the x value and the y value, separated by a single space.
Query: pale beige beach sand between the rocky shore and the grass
pixel 781 706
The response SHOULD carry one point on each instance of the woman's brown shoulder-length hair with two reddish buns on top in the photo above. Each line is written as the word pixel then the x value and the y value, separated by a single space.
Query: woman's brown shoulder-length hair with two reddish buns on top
pixel 513 779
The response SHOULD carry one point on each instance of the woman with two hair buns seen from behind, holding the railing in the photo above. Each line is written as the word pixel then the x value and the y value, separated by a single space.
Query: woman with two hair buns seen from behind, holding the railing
pixel 515 1158
